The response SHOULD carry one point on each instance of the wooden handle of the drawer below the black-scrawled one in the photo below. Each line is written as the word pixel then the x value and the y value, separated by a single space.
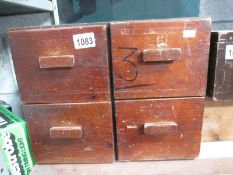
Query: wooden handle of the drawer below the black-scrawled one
pixel 160 128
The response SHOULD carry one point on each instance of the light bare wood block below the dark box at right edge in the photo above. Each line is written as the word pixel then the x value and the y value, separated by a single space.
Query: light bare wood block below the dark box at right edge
pixel 218 120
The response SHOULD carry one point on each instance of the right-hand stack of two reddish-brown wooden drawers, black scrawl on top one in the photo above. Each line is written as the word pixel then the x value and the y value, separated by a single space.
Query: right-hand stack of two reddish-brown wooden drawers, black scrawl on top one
pixel 159 77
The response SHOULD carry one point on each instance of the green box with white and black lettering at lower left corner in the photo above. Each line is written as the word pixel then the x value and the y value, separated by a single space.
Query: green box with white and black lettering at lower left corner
pixel 15 151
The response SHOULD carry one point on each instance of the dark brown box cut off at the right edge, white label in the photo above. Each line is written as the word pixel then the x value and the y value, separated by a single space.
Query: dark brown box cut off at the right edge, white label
pixel 220 79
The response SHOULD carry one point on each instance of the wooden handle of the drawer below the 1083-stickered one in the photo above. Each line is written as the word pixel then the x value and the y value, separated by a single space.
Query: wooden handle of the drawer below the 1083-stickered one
pixel 66 132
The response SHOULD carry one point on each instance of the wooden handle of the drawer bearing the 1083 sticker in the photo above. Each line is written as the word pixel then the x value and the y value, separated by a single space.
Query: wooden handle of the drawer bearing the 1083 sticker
pixel 62 61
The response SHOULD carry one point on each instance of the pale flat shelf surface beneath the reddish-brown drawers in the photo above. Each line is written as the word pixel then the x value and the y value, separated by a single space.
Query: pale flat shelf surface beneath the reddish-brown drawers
pixel 216 158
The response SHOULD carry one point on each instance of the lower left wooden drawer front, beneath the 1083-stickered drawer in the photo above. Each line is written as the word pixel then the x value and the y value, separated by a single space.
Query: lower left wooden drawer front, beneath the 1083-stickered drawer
pixel 71 133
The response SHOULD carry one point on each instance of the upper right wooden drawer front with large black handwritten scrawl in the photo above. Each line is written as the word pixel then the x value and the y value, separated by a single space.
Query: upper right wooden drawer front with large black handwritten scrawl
pixel 163 58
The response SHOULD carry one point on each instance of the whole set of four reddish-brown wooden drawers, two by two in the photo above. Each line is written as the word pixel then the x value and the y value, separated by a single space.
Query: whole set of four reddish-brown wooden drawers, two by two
pixel 158 68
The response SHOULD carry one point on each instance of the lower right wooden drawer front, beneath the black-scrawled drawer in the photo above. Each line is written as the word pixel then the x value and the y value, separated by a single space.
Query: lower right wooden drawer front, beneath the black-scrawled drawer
pixel 159 129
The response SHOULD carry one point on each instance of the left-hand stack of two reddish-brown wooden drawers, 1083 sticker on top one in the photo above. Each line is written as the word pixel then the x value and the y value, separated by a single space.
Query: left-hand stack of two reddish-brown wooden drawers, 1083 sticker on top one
pixel 63 79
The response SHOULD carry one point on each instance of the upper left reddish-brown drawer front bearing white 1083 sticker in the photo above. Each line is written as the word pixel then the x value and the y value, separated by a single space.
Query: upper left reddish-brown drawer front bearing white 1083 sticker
pixel 52 67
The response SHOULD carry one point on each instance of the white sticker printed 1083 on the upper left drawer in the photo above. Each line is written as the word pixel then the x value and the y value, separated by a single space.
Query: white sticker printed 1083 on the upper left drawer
pixel 84 40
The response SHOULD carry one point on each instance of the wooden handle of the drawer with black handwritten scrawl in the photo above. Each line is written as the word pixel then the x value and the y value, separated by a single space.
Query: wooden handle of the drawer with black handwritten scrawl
pixel 159 55
